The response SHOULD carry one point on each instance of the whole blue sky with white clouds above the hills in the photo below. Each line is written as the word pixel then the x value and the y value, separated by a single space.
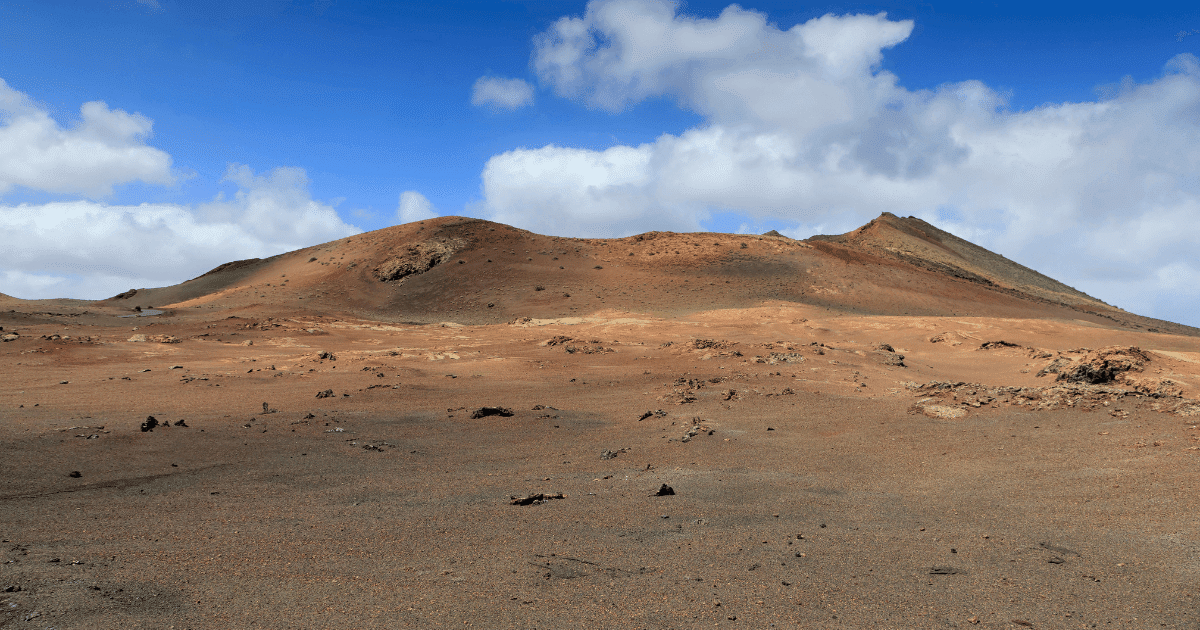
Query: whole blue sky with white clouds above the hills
pixel 231 130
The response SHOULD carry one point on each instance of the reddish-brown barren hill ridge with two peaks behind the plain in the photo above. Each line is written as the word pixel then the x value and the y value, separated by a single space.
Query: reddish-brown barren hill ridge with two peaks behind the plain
pixel 477 272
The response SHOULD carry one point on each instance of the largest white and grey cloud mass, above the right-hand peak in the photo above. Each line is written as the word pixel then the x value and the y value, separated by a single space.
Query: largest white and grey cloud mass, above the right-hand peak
pixel 802 127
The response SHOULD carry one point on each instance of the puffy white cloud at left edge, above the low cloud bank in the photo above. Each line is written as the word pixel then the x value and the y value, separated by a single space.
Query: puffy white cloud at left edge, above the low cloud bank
pixel 105 148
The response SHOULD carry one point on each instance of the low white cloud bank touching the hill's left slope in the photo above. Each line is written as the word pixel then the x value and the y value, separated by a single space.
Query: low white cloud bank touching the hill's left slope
pixel 93 250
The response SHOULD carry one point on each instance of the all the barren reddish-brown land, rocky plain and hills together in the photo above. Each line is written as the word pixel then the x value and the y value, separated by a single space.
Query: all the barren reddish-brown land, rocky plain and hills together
pixel 767 453
